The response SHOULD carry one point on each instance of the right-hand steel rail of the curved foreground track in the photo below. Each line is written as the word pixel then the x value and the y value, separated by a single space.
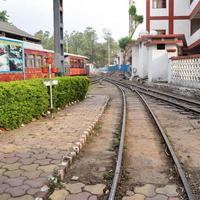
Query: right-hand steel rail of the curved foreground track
pixel 170 148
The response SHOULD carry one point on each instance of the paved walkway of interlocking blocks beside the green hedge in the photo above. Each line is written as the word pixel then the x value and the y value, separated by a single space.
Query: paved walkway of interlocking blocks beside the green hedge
pixel 28 155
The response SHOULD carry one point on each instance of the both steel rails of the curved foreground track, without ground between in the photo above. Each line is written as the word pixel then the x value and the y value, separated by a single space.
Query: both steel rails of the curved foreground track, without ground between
pixel 179 168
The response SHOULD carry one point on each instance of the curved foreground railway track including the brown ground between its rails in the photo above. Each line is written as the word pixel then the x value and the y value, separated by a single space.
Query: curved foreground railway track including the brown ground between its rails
pixel 150 173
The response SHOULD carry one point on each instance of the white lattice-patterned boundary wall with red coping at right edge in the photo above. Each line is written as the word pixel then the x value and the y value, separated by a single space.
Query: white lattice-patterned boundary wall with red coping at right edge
pixel 185 71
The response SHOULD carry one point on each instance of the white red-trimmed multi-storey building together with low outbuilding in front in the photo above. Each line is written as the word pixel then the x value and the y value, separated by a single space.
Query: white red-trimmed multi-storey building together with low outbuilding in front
pixel 172 30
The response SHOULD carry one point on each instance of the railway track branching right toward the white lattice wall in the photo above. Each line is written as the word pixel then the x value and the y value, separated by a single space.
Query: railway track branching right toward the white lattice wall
pixel 181 102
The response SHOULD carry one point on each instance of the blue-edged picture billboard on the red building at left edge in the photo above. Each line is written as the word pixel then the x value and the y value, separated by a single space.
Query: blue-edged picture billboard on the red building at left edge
pixel 11 55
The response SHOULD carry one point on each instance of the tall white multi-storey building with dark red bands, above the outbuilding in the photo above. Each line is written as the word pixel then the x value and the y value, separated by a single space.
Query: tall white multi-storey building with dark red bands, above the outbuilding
pixel 176 17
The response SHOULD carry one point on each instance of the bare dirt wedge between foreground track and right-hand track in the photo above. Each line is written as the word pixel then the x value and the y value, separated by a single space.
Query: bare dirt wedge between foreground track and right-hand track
pixel 183 130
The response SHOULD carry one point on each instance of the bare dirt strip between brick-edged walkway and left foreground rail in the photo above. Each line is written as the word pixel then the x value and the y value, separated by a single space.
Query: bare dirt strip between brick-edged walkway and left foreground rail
pixel 95 162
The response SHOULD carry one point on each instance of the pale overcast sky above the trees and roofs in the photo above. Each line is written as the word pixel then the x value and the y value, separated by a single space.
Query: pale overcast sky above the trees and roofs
pixel 32 16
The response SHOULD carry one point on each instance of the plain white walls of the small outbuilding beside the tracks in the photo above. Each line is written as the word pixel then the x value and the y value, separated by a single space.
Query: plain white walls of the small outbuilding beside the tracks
pixel 151 62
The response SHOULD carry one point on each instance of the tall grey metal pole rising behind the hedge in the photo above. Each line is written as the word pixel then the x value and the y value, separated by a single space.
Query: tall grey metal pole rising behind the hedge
pixel 58 35
